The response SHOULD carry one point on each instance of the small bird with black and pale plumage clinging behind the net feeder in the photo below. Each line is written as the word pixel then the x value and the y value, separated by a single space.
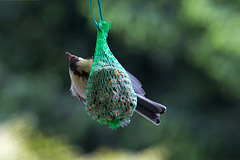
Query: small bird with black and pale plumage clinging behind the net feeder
pixel 79 71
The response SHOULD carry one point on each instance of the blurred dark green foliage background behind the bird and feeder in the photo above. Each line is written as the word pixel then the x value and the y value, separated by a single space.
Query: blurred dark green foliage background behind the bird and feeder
pixel 186 53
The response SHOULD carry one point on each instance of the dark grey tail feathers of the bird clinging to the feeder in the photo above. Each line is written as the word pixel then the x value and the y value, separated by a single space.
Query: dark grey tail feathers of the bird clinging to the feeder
pixel 149 109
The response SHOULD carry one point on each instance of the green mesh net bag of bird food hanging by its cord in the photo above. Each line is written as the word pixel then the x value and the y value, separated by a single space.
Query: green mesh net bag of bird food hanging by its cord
pixel 110 98
